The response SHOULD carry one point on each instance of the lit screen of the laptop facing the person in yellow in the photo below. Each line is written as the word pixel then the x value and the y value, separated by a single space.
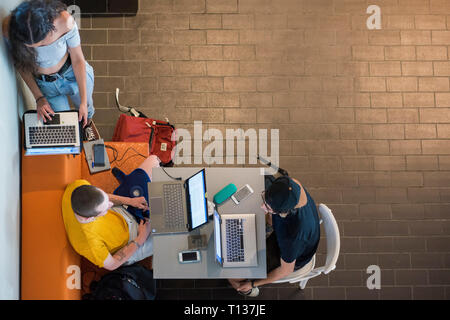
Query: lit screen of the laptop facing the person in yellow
pixel 197 199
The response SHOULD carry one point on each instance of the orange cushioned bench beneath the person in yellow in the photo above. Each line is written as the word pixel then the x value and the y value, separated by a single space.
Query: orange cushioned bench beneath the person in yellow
pixel 47 258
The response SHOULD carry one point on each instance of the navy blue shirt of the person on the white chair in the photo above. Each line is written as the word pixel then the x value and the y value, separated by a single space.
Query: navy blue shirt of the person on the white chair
pixel 298 234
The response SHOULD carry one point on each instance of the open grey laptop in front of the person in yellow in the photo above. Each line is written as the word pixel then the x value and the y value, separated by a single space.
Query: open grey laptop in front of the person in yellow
pixel 178 206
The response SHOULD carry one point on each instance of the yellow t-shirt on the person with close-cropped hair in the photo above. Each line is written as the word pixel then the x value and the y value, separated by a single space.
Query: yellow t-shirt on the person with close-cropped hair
pixel 96 239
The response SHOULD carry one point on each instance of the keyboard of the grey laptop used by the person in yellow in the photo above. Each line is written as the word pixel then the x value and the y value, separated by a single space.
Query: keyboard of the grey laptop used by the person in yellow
pixel 174 214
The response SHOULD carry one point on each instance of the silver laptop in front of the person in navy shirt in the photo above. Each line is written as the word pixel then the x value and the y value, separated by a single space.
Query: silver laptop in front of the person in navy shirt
pixel 235 240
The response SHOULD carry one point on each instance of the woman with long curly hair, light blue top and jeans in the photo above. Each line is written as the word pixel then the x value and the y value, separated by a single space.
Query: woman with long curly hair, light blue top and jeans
pixel 45 46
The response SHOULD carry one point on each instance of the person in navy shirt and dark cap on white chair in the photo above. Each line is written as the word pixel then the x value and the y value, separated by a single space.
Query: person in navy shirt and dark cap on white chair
pixel 292 213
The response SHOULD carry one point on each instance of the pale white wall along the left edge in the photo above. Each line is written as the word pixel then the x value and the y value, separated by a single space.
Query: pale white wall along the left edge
pixel 10 113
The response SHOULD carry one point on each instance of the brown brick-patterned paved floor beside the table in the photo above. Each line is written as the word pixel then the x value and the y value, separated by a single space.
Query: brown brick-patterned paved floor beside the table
pixel 364 115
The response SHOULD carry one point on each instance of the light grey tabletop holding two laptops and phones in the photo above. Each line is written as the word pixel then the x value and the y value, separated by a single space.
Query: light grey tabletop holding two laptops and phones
pixel 167 246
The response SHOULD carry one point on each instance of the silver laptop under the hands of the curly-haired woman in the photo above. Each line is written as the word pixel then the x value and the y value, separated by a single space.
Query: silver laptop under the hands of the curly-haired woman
pixel 61 135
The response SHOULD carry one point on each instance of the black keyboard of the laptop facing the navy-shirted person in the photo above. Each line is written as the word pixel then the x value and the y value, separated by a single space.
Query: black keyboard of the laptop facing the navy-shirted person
pixel 235 240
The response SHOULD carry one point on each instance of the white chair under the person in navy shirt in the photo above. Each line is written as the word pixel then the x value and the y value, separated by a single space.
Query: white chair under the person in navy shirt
pixel 333 246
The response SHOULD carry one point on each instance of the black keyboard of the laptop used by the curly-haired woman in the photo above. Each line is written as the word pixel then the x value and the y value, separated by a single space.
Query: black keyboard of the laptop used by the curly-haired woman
pixel 57 135
